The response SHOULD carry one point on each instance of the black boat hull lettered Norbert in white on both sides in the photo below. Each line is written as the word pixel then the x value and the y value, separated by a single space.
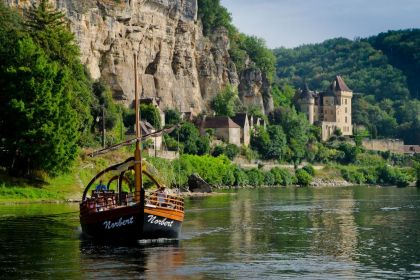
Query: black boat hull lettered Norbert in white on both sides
pixel 129 223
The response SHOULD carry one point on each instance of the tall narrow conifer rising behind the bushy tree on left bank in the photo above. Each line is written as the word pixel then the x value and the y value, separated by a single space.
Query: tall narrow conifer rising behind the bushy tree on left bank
pixel 49 30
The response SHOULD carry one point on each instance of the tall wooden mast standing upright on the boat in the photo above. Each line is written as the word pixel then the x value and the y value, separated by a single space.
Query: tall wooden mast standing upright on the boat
pixel 137 154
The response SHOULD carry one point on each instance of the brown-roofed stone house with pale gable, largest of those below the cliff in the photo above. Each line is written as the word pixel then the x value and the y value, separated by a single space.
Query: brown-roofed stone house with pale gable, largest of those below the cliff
pixel 224 128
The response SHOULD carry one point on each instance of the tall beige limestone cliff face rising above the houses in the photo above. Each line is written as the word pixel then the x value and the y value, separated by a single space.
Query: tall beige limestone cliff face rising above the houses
pixel 176 62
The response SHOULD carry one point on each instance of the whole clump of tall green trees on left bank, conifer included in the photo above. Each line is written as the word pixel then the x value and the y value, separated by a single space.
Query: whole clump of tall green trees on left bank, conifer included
pixel 45 96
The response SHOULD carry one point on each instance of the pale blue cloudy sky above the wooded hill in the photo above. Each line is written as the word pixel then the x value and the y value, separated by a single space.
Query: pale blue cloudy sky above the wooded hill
pixel 290 23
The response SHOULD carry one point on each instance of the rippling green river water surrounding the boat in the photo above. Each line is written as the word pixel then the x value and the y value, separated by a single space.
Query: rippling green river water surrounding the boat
pixel 305 233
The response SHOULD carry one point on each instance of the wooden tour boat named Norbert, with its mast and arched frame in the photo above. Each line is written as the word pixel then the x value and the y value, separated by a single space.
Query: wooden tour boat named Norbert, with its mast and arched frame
pixel 126 213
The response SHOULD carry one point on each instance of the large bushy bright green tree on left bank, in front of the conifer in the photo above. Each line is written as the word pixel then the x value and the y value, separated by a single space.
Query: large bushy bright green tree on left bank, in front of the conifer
pixel 39 128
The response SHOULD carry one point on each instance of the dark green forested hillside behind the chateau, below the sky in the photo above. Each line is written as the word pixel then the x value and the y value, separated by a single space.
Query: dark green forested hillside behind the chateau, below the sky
pixel 381 70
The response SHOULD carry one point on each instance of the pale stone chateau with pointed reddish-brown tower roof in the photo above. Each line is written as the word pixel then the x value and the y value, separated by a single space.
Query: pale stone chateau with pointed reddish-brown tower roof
pixel 330 109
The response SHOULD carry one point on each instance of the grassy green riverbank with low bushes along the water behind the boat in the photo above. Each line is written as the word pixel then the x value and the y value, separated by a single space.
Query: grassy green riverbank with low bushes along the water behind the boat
pixel 219 172
